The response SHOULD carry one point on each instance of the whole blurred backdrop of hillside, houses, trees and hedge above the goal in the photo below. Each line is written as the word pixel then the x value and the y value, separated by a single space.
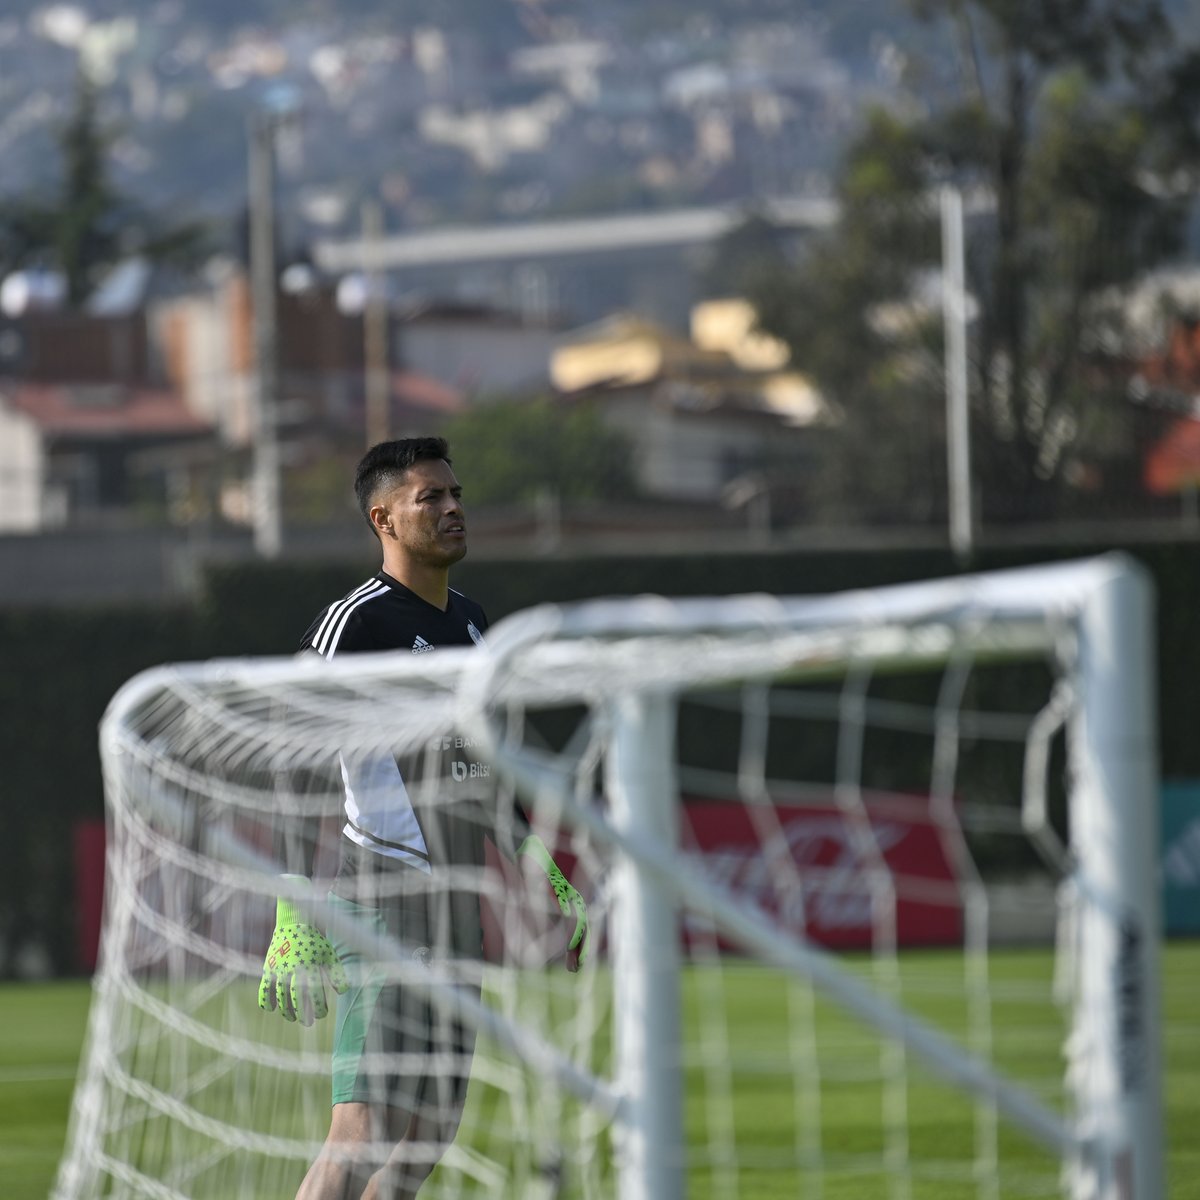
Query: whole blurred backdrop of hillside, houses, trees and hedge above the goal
pixel 723 297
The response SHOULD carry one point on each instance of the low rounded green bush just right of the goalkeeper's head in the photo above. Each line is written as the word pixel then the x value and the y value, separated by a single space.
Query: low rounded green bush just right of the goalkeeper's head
pixel 512 452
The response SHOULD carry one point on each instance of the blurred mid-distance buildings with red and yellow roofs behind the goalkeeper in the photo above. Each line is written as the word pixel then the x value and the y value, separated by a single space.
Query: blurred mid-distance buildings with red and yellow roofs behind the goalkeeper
pixel 148 417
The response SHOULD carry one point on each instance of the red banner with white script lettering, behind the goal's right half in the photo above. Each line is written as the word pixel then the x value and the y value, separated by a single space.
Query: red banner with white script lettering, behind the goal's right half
pixel 829 875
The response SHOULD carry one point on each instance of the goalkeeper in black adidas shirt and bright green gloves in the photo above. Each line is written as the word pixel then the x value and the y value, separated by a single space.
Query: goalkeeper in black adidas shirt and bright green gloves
pixel 400 1066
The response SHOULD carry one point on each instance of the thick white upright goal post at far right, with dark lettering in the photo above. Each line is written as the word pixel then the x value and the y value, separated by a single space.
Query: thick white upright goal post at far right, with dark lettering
pixel 1115 841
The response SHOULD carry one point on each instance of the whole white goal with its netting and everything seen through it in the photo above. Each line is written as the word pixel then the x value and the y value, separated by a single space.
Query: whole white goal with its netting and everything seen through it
pixel 872 881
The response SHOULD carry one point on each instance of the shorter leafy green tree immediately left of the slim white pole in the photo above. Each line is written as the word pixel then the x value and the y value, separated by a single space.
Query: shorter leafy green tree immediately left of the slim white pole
pixel 873 358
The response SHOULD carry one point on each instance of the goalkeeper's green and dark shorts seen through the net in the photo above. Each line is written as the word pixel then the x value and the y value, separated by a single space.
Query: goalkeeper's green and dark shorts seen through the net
pixel 392 1046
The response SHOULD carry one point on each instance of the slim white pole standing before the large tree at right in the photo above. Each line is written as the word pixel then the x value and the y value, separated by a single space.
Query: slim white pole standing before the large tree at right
pixel 958 429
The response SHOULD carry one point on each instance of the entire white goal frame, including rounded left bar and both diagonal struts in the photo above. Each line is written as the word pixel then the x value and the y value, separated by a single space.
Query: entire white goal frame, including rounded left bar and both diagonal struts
pixel 609 653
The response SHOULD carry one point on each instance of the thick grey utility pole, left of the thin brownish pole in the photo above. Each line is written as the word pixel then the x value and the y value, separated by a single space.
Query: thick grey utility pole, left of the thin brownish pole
pixel 267 496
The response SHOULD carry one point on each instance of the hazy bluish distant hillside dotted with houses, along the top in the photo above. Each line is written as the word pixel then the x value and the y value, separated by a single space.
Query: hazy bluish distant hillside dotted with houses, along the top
pixel 485 116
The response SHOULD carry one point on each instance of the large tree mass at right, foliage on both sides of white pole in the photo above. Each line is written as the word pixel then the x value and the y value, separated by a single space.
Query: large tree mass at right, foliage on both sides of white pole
pixel 1065 118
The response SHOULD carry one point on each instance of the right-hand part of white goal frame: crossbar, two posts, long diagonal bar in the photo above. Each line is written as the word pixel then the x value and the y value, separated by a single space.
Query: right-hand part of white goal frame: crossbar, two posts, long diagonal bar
pixel 1105 608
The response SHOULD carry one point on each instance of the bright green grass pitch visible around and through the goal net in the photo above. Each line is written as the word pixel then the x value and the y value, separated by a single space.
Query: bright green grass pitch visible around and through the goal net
pixel 44 1029
